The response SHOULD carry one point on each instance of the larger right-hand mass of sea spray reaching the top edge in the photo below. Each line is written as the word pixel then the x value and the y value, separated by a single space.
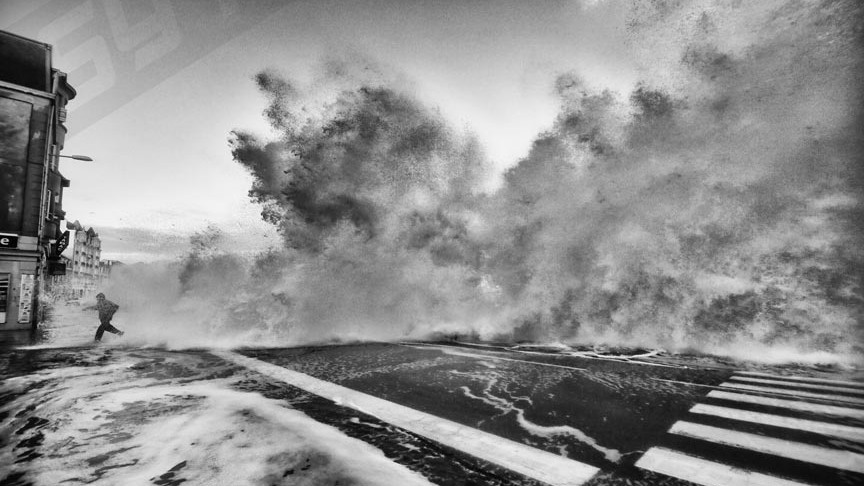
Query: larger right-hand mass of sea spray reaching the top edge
pixel 690 214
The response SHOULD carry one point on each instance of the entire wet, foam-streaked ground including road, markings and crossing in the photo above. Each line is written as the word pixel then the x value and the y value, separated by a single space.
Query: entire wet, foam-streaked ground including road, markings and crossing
pixel 374 414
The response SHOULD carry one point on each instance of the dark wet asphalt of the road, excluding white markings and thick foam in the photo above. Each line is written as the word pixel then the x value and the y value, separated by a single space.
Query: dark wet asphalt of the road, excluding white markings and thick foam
pixel 604 410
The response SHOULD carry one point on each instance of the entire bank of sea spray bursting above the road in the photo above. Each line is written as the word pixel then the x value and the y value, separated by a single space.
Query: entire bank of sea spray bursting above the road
pixel 715 205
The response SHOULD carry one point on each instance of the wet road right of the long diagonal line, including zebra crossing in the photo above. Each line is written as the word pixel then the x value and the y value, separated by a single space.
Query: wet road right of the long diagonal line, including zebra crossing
pixel 629 416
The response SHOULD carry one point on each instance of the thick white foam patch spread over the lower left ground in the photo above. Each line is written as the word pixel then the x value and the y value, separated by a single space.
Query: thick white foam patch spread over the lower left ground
pixel 130 423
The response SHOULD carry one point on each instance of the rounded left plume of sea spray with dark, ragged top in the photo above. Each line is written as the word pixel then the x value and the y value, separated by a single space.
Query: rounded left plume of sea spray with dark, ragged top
pixel 374 195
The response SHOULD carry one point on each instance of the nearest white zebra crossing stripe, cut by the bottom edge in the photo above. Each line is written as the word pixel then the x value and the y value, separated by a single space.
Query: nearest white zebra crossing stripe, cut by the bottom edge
pixel 706 473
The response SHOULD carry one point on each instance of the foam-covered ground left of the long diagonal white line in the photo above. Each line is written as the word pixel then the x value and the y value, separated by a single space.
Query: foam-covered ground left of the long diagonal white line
pixel 112 415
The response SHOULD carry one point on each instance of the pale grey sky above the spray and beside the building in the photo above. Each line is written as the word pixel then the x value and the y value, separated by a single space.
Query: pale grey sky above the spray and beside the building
pixel 163 165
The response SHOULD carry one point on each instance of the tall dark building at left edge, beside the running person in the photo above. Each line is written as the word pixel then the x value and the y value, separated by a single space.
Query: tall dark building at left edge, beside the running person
pixel 33 98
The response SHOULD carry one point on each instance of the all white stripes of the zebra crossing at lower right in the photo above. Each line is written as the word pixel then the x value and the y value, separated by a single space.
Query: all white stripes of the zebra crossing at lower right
pixel 710 473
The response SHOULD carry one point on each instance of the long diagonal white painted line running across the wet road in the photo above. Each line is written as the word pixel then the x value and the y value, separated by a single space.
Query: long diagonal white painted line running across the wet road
pixel 528 461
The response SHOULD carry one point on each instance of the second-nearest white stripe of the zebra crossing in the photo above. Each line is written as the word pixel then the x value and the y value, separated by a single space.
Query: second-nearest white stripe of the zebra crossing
pixel 835 458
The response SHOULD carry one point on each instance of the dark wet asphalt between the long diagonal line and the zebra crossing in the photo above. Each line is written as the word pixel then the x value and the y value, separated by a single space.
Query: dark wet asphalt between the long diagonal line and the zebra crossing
pixel 598 412
